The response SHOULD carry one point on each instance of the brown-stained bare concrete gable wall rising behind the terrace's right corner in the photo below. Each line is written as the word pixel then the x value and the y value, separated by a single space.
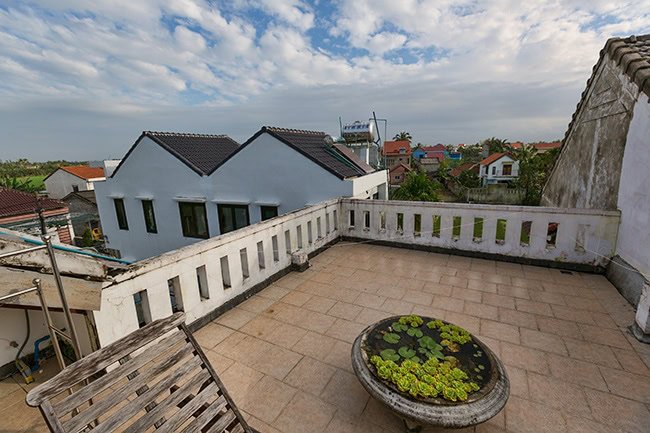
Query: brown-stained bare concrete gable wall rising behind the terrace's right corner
pixel 588 169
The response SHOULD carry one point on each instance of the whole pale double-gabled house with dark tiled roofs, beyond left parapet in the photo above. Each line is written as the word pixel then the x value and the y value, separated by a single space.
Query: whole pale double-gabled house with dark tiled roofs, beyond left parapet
pixel 171 190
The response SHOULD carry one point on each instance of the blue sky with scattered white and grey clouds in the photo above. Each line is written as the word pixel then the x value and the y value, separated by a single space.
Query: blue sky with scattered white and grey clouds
pixel 81 79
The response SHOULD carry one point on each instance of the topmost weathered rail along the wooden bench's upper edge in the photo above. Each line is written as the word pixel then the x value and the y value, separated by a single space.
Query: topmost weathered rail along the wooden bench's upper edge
pixel 97 361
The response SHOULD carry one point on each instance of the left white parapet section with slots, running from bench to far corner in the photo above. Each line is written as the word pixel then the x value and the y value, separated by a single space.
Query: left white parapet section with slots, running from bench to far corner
pixel 118 316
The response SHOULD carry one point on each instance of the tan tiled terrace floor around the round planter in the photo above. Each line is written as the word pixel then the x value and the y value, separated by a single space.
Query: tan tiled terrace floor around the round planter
pixel 284 354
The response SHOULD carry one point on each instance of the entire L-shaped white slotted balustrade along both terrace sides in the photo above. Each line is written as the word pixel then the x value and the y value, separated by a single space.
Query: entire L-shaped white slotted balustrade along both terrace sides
pixel 202 277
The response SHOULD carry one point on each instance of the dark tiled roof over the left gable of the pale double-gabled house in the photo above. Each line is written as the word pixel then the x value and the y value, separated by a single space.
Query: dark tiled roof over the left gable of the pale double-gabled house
pixel 202 153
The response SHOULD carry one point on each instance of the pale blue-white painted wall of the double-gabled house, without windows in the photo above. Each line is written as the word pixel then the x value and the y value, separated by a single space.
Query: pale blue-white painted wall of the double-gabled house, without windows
pixel 265 172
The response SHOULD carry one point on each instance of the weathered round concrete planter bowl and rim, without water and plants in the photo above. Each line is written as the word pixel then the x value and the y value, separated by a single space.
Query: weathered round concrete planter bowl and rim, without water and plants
pixel 478 408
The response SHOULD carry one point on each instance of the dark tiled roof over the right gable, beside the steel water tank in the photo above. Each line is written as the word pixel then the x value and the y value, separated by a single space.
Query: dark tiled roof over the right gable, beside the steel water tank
pixel 313 145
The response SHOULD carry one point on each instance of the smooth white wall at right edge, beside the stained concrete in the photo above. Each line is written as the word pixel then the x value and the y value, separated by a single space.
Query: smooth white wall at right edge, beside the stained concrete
pixel 634 191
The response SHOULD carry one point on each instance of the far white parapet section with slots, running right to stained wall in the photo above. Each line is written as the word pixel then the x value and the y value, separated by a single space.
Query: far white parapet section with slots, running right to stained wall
pixel 577 236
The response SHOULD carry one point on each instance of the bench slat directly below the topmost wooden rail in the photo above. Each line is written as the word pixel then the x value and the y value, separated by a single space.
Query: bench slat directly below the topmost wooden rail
pixel 109 379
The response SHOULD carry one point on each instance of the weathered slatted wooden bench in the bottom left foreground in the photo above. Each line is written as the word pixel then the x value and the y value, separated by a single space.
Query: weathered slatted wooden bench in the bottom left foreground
pixel 156 379
